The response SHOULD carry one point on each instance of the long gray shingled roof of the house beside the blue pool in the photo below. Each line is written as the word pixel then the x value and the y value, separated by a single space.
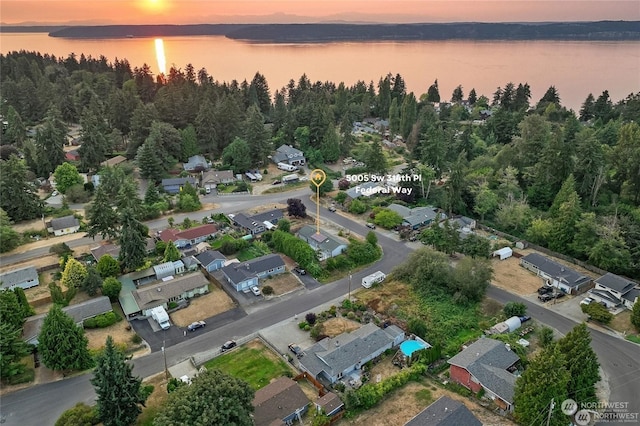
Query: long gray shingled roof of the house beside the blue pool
pixel 334 355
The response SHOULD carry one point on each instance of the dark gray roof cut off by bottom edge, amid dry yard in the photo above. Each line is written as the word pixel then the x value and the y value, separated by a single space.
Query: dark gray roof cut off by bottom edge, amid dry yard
pixel 445 412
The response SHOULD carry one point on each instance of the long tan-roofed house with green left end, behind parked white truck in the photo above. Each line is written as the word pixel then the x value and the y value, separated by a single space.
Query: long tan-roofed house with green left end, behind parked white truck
pixel 140 301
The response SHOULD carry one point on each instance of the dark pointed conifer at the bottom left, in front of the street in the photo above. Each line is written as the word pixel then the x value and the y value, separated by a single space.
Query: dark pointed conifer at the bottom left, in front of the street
pixel 119 393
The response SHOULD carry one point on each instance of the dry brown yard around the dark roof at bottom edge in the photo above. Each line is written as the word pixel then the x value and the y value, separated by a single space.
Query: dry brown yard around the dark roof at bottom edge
pixel 405 403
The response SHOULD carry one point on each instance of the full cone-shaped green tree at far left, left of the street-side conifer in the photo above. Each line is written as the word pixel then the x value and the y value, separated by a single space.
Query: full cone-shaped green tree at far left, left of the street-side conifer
pixel 62 344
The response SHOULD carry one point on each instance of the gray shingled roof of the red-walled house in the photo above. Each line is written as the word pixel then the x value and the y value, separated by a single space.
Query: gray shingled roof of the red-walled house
pixel 487 360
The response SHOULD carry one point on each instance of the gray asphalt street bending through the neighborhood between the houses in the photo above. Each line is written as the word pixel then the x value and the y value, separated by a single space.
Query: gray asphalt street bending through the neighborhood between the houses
pixel 43 404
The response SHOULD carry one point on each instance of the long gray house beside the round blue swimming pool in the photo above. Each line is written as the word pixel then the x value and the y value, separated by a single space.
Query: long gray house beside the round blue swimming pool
pixel 335 358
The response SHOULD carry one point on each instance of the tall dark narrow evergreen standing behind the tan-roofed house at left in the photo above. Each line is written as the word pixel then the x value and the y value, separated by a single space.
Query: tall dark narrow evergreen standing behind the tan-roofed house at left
pixel 133 241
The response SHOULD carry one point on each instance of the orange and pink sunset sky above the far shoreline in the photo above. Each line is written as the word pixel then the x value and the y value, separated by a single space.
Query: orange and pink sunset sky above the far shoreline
pixel 96 12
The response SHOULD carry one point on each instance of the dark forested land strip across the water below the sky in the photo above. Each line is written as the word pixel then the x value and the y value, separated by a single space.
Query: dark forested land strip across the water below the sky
pixel 309 33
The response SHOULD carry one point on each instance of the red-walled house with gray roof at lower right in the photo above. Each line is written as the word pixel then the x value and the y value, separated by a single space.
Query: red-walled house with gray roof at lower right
pixel 486 364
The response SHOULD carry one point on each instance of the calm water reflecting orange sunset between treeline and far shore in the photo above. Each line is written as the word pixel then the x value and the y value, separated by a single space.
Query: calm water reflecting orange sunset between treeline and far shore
pixel 574 68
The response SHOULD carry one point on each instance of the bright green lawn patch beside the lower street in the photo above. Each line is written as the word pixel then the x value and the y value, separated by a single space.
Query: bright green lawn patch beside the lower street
pixel 253 363
